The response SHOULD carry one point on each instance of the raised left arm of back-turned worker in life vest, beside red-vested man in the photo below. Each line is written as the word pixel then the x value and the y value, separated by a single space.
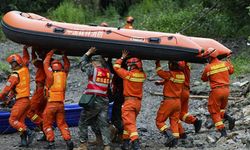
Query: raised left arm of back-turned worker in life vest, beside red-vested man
pixel 47 68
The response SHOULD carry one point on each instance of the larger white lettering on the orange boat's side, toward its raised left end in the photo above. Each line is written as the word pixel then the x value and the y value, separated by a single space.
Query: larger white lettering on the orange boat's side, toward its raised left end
pixel 94 34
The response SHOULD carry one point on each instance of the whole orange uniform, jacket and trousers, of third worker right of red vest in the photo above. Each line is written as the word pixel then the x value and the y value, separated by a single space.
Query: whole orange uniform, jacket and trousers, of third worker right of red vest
pixel 170 107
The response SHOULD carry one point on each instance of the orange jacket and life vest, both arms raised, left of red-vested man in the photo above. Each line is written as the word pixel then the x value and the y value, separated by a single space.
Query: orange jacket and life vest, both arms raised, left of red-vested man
pixel 53 77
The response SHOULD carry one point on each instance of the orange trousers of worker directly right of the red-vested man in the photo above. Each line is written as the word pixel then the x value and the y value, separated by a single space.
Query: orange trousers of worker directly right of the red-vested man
pixel 130 110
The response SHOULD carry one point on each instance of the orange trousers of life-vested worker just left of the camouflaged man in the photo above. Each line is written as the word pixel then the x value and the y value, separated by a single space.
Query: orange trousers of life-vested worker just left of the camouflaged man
pixel 54 111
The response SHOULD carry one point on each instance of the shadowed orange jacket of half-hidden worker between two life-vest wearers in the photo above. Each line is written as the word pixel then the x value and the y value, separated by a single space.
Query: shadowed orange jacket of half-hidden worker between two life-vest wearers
pixel 40 74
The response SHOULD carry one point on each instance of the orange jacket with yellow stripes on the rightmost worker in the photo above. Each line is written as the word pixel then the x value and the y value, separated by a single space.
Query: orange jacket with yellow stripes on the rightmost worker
pixel 217 73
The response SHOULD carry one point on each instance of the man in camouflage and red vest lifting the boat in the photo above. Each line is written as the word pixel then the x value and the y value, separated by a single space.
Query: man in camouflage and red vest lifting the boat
pixel 96 116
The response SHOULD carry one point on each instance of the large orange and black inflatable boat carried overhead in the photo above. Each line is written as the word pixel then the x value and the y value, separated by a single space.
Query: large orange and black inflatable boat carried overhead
pixel 76 39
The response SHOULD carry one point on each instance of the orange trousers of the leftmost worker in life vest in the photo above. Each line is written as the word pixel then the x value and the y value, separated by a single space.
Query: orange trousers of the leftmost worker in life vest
pixel 18 114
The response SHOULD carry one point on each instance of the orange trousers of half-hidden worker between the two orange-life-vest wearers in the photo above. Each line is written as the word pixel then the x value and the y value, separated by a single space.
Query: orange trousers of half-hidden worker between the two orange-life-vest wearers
pixel 37 106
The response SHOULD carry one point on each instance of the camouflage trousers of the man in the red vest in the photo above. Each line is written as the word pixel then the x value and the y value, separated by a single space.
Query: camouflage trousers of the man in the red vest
pixel 97 118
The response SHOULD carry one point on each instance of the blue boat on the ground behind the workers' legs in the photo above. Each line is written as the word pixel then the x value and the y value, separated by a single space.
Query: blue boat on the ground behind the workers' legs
pixel 72 115
